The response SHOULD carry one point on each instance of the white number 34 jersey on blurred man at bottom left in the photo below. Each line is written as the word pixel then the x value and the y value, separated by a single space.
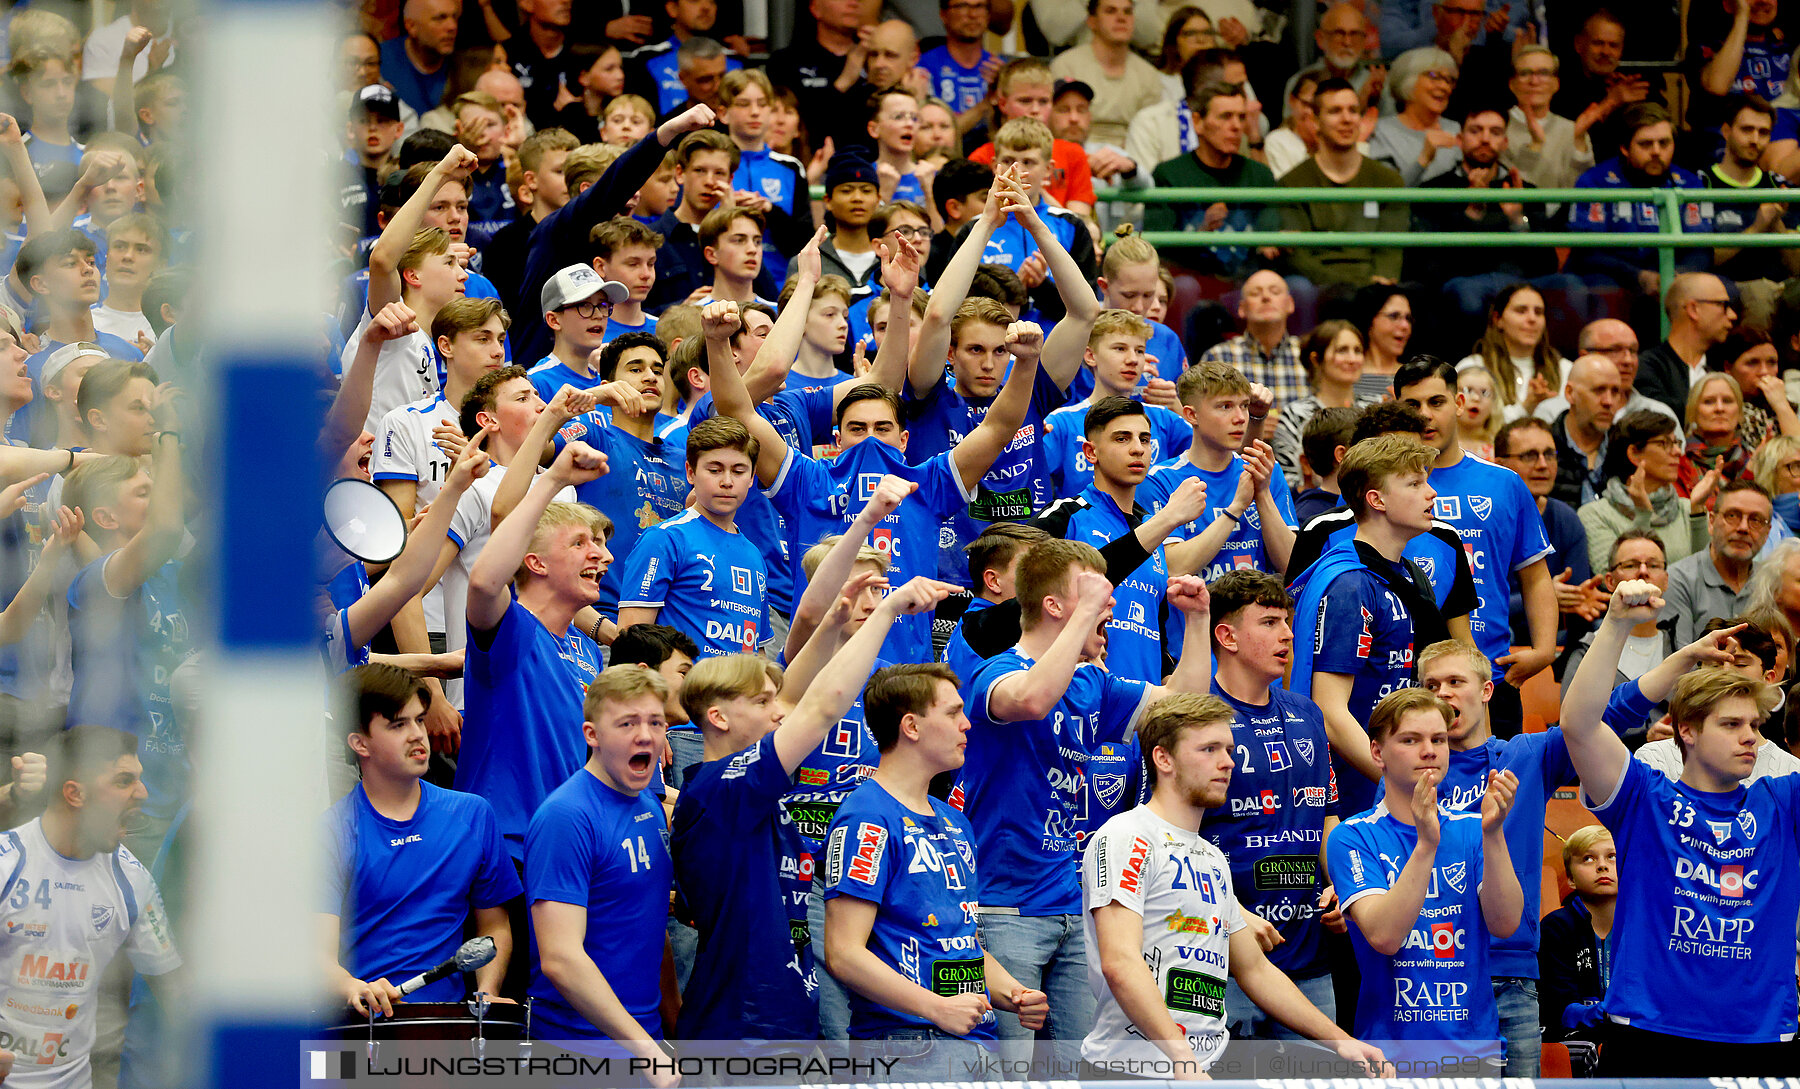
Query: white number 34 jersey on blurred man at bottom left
pixel 62 922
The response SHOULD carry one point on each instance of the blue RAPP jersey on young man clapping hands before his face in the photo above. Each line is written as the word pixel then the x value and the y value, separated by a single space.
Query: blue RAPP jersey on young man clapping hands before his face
pixel 1437 987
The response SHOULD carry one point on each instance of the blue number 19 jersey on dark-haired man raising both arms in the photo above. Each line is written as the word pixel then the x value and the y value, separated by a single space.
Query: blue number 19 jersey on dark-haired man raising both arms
pixel 823 498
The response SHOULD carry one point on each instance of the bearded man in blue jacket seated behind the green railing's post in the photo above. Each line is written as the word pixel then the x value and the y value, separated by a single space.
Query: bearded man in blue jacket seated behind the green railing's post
pixel 1644 161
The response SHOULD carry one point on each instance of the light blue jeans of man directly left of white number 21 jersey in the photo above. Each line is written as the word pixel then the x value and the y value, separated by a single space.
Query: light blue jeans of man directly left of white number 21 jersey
pixel 1045 953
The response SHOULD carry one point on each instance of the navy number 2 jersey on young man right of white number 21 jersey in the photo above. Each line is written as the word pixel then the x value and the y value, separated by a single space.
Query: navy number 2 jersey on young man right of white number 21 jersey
pixel 1273 822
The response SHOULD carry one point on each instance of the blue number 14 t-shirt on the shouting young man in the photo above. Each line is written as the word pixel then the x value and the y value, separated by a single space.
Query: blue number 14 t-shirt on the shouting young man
pixel 607 854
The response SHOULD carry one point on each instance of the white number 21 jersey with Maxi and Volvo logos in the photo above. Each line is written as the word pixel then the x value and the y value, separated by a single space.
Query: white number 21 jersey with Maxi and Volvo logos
pixel 1182 886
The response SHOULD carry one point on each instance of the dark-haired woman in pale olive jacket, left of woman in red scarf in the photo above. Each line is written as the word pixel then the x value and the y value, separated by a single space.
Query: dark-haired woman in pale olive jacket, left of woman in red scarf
pixel 1642 467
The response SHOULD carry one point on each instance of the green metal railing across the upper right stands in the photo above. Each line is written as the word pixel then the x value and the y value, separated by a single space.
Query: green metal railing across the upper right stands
pixel 1666 240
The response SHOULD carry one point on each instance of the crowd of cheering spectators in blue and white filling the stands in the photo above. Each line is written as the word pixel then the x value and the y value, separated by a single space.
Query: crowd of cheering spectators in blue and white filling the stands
pixel 859 588
